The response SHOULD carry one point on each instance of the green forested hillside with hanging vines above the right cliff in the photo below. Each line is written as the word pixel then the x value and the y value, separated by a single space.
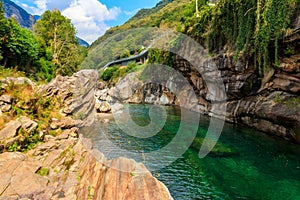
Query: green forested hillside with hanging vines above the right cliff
pixel 258 30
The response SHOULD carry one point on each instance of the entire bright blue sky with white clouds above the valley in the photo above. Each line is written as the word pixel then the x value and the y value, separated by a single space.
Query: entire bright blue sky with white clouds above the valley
pixel 90 17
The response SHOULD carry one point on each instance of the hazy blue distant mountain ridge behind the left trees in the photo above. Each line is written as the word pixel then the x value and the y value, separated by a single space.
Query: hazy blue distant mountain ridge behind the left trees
pixel 25 19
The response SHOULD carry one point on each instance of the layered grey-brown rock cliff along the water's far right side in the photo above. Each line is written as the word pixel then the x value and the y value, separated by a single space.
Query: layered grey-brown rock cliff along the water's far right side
pixel 271 105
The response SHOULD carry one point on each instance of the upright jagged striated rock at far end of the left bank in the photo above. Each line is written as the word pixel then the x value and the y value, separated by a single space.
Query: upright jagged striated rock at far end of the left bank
pixel 76 93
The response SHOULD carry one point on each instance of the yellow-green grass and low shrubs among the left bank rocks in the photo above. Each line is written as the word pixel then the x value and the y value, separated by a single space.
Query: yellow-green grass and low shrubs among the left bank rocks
pixel 27 102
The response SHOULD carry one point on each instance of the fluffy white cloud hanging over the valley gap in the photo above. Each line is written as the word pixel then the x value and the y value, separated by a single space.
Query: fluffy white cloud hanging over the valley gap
pixel 88 16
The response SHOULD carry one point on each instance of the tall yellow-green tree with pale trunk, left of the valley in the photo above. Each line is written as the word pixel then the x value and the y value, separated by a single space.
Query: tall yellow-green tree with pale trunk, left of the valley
pixel 57 33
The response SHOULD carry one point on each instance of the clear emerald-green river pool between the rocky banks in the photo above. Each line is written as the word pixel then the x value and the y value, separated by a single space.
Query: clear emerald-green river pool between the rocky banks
pixel 262 167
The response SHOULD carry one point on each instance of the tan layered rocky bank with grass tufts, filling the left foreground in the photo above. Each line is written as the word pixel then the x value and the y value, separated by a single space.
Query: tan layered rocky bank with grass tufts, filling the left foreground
pixel 50 159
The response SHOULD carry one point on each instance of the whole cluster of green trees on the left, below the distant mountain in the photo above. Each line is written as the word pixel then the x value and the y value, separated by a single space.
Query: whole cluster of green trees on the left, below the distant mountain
pixel 50 49
